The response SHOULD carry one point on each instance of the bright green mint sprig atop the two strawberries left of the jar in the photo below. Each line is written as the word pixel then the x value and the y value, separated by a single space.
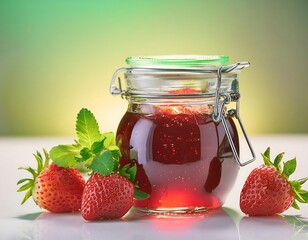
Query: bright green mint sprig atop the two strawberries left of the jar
pixel 95 151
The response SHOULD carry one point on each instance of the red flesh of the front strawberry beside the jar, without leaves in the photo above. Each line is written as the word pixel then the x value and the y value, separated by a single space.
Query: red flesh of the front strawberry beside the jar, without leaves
pixel 107 197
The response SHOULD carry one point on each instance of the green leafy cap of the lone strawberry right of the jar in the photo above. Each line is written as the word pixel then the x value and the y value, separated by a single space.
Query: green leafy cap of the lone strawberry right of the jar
pixel 286 169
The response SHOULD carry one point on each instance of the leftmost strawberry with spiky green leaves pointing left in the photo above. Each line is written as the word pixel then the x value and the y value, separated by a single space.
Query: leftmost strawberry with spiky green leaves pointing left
pixel 55 189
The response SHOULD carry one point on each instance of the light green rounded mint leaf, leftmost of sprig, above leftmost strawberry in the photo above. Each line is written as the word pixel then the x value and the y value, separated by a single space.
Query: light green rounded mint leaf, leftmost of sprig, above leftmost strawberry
pixel 64 155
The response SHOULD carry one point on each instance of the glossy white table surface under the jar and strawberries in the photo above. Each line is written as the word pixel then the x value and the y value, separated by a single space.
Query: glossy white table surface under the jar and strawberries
pixel 30 222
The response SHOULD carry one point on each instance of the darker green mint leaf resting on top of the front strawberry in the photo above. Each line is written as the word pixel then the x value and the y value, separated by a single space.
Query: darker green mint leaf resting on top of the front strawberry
pixel 102 163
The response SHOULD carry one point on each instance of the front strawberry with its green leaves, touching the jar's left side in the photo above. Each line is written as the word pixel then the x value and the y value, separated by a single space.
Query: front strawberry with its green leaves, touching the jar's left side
pixel 110 194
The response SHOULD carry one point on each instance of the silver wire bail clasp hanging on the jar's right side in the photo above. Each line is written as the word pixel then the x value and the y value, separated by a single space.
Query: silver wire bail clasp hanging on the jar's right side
pixel 218 112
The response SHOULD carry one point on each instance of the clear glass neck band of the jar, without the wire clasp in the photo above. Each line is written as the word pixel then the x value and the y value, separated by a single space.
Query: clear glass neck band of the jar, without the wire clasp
pixel 172 84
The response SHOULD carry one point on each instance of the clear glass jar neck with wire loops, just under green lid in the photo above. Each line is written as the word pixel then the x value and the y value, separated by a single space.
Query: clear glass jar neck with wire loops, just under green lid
pixel 153 82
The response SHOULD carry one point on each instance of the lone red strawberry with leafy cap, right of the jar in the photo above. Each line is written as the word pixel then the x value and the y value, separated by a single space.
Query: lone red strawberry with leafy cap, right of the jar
pixel 268 190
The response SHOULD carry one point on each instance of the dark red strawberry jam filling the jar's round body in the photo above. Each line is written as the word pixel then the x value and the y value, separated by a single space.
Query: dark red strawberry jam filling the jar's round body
pixel 183 157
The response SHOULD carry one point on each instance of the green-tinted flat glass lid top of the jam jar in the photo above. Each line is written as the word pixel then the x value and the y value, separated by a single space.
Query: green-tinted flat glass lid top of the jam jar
pixel 177 61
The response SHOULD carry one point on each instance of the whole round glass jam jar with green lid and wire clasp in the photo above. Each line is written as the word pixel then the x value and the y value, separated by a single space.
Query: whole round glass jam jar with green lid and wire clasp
pixel 178 130
